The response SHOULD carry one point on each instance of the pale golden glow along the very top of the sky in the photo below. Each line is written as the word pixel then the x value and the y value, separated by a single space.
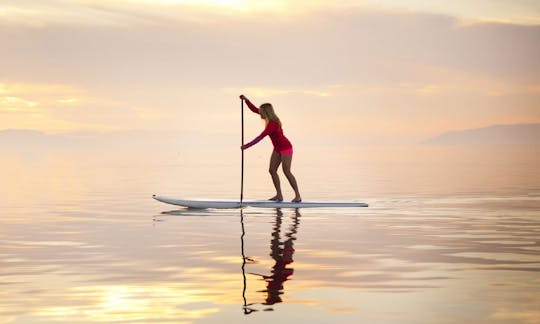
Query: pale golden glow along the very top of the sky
pixel 523 11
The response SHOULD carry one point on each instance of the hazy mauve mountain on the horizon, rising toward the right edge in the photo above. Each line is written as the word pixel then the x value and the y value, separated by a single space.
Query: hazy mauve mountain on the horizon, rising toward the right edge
pixel 497 134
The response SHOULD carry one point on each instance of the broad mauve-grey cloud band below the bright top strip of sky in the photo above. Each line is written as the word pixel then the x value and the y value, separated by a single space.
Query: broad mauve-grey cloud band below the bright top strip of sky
pixel 320 49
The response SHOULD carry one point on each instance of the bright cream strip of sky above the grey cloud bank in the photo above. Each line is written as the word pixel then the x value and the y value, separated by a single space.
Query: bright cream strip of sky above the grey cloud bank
pixel 121 12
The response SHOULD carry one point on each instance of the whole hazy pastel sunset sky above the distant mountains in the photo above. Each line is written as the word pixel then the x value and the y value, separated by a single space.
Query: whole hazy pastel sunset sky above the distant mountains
pixel 364 69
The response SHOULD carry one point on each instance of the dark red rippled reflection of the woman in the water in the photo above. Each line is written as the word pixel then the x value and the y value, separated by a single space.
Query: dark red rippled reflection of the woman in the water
pixel 282 253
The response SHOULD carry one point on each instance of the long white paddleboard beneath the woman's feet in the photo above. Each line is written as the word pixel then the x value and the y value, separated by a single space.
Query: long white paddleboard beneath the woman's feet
pixel 258 203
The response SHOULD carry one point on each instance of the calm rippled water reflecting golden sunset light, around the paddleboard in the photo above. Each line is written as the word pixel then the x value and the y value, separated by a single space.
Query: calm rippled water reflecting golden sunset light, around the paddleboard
pixel 452 235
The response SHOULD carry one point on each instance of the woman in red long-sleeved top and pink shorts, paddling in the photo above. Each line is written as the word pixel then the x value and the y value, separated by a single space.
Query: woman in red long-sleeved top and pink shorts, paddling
pixel 282 153
